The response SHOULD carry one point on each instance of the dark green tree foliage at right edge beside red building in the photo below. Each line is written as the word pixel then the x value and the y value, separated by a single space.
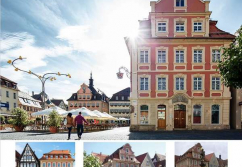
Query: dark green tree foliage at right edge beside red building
pixel 231 66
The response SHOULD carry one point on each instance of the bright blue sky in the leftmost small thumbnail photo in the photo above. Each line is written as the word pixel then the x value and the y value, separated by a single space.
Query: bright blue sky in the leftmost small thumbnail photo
pixel 41 148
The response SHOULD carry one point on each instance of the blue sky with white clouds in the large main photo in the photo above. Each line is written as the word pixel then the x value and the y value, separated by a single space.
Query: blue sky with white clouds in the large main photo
pixel 79 37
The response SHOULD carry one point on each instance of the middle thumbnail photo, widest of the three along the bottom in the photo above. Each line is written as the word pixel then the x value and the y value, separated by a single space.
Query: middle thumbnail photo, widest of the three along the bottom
pixel 117 154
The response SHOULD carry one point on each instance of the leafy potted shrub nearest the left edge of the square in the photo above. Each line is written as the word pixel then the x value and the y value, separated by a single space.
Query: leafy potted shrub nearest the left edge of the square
pixel 20 119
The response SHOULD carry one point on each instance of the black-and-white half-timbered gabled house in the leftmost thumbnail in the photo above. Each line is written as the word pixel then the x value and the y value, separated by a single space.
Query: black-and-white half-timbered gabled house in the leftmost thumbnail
pixel 28 158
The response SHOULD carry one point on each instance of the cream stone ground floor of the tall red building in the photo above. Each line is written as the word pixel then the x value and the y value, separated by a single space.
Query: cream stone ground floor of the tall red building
pixel 180 112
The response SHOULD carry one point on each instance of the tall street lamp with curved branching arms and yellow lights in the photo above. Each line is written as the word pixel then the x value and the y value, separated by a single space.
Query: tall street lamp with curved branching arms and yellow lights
pixel 43 79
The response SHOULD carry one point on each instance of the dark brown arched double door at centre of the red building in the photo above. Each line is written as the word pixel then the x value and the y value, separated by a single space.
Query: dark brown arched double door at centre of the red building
pixel 180 116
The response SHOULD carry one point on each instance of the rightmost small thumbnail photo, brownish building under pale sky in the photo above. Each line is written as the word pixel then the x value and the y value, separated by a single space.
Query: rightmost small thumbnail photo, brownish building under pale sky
pixel 204 154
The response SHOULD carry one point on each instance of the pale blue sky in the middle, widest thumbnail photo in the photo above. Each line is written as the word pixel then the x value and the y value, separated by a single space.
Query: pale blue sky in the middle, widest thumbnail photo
pixel 138 147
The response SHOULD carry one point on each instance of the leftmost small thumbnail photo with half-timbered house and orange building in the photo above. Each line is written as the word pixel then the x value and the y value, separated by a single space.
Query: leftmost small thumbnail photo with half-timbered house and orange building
pixel 45 154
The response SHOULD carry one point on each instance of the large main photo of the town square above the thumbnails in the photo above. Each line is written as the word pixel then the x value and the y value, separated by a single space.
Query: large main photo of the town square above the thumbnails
pixel 173 75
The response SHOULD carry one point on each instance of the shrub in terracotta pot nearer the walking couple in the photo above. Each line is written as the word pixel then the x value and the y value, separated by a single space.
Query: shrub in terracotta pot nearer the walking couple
pixel 54 121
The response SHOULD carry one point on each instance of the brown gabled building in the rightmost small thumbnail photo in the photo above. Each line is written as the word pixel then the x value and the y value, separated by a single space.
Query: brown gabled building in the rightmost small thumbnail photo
pixel 191 158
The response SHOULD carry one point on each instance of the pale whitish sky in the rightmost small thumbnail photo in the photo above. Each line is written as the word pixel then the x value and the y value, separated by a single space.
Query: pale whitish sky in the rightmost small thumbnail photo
pixel 219 148
